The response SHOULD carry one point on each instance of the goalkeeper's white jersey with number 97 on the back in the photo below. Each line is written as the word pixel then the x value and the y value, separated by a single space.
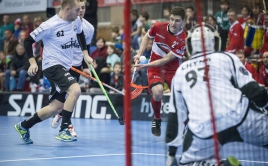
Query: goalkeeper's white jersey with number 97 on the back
pixel 189 96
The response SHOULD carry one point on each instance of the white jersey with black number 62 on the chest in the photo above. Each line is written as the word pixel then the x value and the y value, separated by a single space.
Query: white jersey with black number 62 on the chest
pixel 59 38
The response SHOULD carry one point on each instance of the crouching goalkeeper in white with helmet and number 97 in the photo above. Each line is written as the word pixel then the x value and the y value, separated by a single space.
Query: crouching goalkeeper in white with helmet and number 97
pixel 238 102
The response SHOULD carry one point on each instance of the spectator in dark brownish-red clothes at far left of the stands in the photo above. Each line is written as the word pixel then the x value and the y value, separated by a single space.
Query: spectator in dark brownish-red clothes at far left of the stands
pixel 10 44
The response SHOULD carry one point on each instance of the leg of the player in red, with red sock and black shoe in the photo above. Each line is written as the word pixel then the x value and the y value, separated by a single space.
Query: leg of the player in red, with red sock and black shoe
pixel 155 82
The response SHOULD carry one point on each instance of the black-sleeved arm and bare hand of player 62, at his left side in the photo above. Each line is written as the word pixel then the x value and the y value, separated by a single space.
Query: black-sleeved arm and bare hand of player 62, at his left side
pixel 29 52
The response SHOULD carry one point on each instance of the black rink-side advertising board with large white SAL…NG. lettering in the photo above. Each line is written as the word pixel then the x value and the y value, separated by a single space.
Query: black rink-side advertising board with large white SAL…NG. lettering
pixel 93 106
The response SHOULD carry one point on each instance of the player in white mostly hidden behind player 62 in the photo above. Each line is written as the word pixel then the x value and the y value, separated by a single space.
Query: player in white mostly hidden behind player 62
pixel 78 62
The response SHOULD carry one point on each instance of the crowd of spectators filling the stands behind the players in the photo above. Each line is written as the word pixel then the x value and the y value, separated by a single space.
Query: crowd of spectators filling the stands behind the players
pixel 244 33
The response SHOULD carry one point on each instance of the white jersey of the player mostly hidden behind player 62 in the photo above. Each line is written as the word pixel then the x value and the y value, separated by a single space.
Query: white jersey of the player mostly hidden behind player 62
pixel 88 32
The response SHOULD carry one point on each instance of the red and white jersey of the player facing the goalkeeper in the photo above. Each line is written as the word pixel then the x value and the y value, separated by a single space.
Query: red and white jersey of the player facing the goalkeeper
pixel 165 42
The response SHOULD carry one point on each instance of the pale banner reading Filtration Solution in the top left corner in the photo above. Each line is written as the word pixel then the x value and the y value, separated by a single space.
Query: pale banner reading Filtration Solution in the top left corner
pixel 22 6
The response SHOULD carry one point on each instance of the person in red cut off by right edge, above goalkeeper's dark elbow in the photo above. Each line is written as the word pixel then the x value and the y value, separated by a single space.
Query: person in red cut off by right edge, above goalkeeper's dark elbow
pixel 263 73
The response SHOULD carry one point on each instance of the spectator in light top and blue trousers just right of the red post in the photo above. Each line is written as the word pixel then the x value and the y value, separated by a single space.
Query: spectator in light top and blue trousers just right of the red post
pixel 136 29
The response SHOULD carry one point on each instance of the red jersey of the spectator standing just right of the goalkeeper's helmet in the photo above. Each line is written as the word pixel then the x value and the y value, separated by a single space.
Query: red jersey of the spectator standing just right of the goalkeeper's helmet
pixel 235 38
